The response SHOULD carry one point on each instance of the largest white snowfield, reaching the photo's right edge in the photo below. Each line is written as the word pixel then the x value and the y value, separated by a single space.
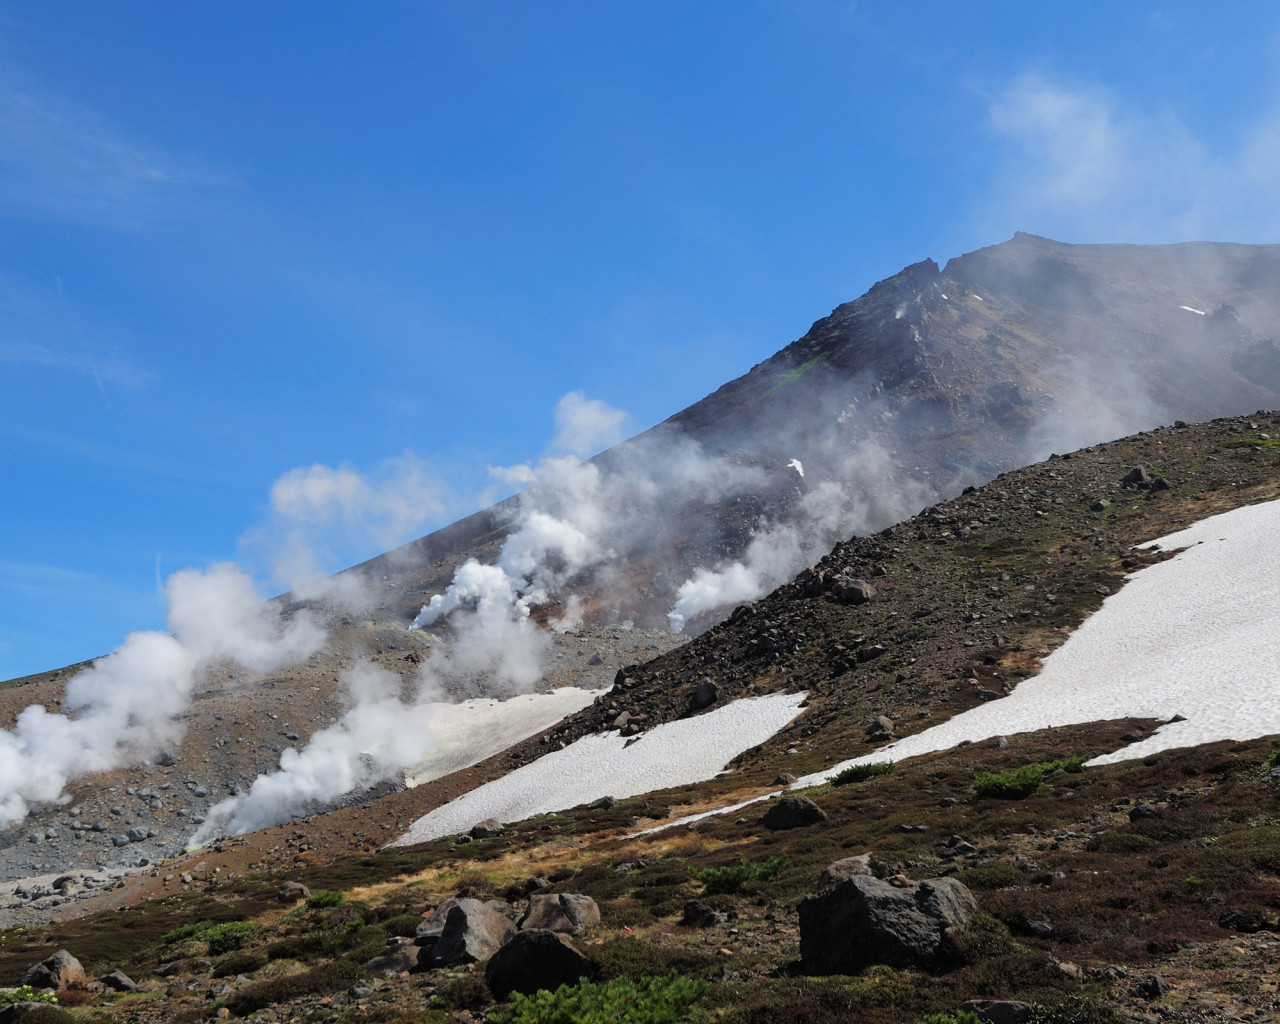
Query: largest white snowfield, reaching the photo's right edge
pixel 1197 636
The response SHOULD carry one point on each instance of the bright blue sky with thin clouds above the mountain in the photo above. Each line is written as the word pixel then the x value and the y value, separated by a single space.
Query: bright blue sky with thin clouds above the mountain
pixel 239 243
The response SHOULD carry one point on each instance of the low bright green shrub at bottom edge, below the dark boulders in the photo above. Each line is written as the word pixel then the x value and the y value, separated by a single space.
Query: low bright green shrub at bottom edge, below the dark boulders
pixel 621 1002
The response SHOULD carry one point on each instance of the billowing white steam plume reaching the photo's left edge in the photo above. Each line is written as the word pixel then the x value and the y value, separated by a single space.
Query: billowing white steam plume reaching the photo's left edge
pixel 127 705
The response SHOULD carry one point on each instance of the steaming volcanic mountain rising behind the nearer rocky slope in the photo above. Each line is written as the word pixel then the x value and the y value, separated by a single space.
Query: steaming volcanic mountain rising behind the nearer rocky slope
pixel 935 381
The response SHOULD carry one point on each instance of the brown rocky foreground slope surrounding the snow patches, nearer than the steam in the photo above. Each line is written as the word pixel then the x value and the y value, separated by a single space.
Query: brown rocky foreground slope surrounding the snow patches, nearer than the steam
pixel 1144 890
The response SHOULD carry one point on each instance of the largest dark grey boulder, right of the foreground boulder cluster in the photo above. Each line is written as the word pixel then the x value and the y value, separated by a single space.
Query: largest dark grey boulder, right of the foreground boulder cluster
pixel 865 921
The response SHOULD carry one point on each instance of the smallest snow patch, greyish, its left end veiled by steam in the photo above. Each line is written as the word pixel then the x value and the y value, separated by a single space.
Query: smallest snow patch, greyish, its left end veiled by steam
pixel 468 733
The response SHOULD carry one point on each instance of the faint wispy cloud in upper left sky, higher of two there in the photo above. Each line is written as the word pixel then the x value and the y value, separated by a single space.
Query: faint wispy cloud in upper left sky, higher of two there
pixel 66 162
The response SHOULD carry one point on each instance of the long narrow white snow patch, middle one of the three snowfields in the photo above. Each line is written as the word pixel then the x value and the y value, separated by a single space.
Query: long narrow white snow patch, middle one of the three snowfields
pixel 673 755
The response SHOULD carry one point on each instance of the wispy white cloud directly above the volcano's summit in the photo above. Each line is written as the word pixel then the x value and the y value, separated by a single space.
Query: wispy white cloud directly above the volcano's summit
pixel 1085 163
